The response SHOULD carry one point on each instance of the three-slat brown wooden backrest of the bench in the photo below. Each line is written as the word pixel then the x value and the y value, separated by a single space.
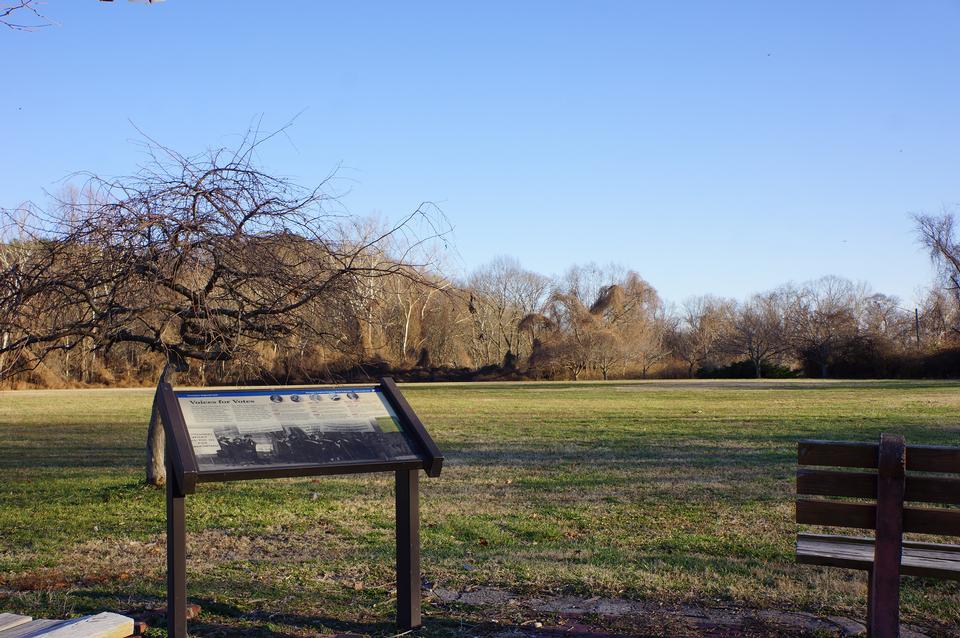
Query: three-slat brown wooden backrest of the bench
pixel 923 483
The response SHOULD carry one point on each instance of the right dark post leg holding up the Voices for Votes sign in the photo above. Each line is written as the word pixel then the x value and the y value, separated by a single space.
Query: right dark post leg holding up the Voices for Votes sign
pixel 408 549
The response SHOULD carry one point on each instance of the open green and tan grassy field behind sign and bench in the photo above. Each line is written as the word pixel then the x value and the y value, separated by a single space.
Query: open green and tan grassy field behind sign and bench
pixel 663 492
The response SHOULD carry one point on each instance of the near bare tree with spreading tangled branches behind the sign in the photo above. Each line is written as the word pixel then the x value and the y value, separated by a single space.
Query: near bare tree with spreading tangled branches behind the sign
pixel 200 258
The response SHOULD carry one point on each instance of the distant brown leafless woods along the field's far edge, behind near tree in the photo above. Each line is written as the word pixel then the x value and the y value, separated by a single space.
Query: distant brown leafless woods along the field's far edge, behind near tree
pixel 504 322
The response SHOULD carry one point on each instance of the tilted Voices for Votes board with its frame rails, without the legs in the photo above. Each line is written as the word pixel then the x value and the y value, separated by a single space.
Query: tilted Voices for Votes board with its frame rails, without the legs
pixel 253 433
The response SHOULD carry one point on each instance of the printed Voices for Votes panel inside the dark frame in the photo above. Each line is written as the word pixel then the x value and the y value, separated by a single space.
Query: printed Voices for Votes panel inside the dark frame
pixel 308 426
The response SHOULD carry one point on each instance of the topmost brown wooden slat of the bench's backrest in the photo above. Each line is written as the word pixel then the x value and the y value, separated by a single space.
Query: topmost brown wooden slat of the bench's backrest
pixel 920 458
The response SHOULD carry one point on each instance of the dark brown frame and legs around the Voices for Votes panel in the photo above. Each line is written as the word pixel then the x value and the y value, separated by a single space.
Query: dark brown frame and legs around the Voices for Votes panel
pixel 183 475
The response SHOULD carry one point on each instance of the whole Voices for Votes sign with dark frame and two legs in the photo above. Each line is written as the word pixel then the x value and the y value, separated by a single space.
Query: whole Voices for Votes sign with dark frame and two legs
pixel 237 434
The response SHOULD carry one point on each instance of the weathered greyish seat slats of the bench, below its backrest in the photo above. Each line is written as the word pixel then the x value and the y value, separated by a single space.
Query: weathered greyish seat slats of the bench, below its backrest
pixel 919 559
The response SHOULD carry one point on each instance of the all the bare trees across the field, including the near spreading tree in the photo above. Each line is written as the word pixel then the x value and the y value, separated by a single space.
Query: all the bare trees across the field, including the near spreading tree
pixel 248 277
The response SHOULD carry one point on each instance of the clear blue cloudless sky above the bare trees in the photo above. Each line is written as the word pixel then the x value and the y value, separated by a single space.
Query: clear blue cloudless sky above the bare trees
pixel 721 147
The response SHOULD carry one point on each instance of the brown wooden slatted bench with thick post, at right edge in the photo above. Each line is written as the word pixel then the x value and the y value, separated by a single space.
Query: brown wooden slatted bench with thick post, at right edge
pixel 900 473
